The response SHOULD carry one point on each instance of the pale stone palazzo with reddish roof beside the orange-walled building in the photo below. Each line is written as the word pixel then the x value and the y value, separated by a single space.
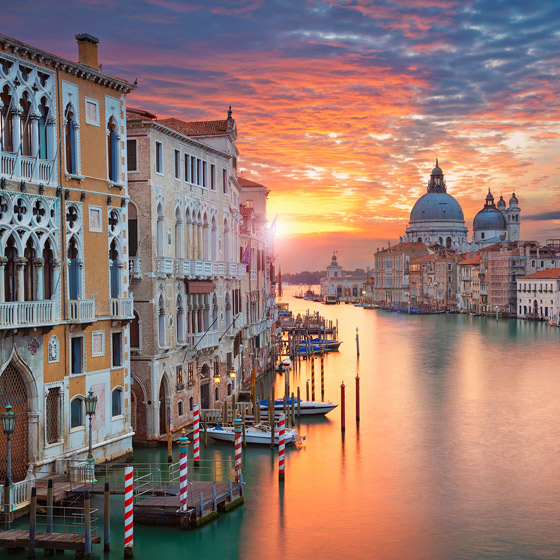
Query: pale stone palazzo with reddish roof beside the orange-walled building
pixel 185 268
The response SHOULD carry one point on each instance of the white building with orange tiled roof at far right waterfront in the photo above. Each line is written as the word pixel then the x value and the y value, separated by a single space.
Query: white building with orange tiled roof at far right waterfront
pixel 538 295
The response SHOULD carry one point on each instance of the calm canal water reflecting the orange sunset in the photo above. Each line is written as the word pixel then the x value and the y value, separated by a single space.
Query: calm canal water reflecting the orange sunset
pixel 456 455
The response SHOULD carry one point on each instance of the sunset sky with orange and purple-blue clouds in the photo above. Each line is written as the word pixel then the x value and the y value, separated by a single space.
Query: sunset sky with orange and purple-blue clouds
pixel 342 106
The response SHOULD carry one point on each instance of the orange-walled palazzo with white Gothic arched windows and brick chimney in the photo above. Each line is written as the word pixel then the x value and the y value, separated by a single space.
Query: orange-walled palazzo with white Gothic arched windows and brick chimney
pixel 65 299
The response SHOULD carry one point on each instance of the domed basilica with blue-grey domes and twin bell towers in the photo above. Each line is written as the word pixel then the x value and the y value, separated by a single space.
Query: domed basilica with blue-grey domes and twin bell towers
pixel 438 218
